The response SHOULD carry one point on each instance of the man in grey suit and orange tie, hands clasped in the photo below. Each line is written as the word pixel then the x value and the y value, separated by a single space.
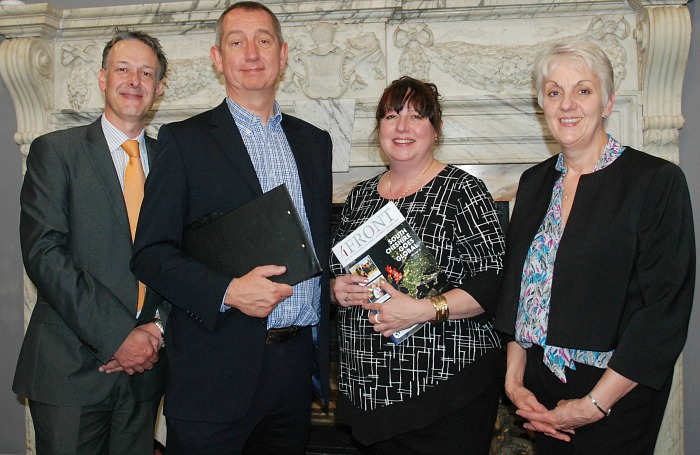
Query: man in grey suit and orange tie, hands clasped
pixel 91 363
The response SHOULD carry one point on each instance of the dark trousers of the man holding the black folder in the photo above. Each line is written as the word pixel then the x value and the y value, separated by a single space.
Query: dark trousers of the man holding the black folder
pixel 278 420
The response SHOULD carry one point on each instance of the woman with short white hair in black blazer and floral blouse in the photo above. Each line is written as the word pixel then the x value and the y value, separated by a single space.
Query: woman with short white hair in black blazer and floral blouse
pixel 599 275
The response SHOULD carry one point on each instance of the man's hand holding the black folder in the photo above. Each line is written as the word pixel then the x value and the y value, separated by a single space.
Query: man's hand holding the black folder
pixel 254 294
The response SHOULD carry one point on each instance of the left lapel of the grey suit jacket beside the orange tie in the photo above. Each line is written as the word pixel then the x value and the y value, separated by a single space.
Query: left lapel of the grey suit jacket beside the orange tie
pixel 96 150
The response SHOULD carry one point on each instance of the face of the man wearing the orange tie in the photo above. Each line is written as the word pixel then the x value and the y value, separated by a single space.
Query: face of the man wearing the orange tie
pixel 130 83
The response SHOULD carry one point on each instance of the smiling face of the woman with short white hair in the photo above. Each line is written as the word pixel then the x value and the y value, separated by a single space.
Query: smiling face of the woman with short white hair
pixel 574 106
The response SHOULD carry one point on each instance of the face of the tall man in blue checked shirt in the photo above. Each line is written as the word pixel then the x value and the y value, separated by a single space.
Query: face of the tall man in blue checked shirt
pixel 251 57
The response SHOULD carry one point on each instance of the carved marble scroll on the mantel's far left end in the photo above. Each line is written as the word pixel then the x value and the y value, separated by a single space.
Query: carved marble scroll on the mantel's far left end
pixel 25 66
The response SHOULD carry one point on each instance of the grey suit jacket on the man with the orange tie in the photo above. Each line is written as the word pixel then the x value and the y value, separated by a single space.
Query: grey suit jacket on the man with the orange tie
pixel 76 247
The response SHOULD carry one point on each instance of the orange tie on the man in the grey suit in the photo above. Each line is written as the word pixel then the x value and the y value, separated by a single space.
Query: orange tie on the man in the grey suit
pixel 134 179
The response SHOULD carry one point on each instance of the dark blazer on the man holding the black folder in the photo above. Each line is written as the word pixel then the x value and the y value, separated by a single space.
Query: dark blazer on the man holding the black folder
pixel 203 168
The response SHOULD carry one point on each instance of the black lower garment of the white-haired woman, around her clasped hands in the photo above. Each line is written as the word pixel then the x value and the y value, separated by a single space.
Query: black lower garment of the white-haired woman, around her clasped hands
pixel 631 429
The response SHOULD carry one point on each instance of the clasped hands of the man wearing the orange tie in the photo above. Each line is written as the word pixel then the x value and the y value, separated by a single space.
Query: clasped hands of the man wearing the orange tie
pixel 138 352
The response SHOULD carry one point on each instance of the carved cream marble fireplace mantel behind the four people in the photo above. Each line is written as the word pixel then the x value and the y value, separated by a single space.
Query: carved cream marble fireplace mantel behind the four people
pixel 342 55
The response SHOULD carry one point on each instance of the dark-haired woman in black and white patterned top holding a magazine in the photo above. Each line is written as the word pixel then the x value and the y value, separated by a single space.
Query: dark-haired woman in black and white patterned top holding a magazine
pixel 437 391
